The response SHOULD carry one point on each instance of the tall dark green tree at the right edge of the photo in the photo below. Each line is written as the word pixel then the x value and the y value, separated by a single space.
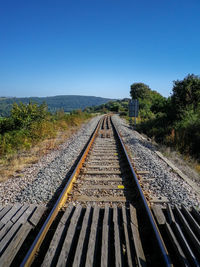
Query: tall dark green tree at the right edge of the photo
pixel 186 109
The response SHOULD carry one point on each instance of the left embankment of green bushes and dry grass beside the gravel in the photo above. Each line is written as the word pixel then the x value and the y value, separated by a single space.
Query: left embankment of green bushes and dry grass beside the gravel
pixel 30 132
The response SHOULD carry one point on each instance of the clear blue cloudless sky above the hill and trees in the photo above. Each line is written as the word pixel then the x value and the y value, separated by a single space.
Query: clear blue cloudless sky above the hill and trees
pixel 96 47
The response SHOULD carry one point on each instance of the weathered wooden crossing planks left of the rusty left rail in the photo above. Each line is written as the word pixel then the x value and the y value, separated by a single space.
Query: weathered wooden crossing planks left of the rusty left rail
pixel 16 223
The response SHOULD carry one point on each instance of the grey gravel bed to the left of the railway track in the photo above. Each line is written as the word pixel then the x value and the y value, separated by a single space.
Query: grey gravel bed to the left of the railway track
pixel 38 183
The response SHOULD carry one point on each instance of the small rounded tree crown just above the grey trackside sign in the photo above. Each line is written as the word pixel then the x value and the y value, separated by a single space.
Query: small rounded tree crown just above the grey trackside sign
pixel 139 90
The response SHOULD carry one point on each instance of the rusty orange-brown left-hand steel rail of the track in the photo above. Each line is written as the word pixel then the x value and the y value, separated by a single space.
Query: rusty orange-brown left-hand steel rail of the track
pixel 27 261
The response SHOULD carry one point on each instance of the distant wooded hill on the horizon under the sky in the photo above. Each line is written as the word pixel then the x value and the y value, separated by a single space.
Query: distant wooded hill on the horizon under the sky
pixel 65 102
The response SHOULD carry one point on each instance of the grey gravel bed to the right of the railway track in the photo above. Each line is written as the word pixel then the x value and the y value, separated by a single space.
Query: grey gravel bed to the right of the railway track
pixel 161 180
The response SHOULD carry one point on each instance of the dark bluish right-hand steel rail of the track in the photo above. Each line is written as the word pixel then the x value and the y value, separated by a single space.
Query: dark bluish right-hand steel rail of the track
pixel 159 239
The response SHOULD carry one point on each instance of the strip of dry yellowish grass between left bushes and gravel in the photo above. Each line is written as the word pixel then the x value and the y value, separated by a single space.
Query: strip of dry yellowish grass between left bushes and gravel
pixel 12 166
